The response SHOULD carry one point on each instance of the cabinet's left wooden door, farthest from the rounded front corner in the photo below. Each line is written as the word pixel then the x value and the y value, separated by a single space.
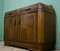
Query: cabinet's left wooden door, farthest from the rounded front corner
pixel 9 23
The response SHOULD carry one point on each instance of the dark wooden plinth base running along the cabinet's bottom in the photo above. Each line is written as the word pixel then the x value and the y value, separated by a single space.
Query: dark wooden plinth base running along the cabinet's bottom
pixel 30 47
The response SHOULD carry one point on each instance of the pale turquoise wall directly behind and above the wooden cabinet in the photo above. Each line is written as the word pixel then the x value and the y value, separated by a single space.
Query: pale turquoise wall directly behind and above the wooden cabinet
pixel 14 4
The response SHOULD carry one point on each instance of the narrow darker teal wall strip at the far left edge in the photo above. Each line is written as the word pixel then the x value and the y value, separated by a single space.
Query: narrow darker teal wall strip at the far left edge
pixel 1 19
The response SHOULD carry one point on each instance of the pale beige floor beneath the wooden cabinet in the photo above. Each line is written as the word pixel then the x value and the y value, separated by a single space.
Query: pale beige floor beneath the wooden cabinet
pixel 9 48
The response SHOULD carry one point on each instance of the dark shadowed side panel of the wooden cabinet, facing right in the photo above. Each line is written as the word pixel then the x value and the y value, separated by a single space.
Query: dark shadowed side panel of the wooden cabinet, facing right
pixel 50 30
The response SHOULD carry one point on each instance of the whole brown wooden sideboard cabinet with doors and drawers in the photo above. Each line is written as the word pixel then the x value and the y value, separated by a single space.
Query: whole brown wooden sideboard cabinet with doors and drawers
pixel 31 27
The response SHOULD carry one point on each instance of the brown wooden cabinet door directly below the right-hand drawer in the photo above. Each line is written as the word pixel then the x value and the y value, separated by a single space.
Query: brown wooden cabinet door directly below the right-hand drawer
pixel 28 28
